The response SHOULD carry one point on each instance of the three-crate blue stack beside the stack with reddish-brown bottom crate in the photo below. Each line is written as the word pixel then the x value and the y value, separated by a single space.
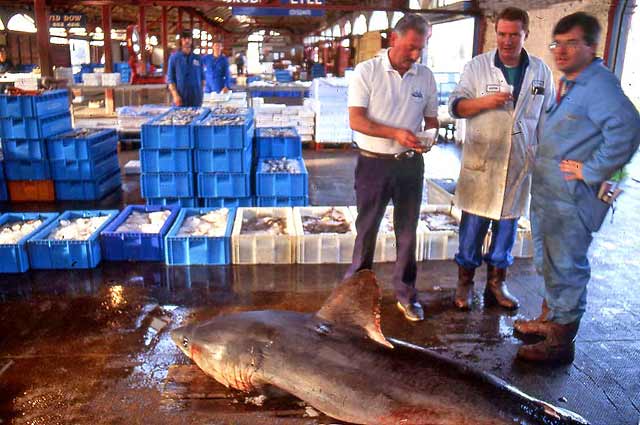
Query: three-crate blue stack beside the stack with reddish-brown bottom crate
pixel 84 164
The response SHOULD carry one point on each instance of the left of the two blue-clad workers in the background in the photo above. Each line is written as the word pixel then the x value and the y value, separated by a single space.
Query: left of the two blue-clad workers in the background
pixel 184 74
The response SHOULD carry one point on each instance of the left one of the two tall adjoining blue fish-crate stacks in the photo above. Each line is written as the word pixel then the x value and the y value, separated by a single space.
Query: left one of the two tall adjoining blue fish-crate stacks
pixel 166 158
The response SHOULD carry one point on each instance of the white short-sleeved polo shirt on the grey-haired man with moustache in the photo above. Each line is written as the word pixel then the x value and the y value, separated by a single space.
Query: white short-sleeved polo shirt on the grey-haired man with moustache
pixel 392 100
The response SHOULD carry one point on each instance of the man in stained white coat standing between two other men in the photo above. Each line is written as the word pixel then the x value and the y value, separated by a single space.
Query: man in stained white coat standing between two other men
pixel 503 95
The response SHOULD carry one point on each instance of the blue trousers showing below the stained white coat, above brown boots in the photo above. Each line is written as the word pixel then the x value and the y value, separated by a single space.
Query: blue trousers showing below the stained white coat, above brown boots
pixel 473 230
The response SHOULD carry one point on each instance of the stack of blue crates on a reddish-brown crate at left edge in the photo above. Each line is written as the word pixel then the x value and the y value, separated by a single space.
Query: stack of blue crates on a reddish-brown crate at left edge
pixel 25 124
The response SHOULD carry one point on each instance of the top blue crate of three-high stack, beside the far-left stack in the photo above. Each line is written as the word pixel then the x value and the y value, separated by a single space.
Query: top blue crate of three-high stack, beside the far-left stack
pixel 83 144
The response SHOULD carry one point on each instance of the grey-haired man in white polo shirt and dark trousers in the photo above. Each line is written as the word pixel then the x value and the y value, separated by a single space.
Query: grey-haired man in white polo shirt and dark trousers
pixel 389 97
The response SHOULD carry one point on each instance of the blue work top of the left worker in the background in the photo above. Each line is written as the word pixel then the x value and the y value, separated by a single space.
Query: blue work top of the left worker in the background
pixel 185 71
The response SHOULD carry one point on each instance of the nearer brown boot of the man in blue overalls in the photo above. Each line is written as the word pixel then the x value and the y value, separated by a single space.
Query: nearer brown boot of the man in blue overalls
pixel 558 346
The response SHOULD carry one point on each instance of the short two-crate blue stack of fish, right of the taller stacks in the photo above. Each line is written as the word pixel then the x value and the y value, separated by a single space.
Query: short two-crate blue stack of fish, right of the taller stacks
pixel 281 176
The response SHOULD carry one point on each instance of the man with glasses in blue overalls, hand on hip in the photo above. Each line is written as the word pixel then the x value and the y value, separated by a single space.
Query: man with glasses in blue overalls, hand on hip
pixel 591 131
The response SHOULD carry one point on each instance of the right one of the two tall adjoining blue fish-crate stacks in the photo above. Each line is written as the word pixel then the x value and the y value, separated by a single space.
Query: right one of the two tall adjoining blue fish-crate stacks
pixel 223 159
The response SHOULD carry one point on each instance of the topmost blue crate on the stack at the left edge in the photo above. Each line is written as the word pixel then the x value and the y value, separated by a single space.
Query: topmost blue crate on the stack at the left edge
pixel 42 105
